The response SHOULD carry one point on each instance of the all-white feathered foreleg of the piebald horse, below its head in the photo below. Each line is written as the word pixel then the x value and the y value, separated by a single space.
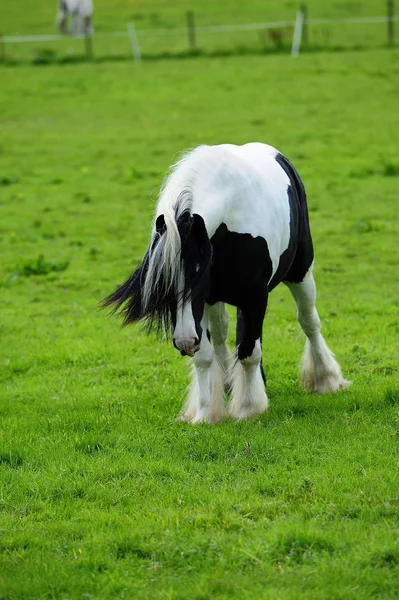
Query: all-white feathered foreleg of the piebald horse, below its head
pixel 205 402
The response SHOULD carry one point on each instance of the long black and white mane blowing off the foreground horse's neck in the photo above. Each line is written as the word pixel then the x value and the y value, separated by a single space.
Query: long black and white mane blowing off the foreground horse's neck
pixel 162 280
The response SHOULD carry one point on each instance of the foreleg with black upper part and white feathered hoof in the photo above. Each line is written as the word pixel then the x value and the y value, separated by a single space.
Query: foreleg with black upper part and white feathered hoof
pixel 249 395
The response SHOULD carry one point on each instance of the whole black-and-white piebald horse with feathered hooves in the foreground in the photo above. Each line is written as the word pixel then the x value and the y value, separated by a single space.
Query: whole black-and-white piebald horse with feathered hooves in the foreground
pixel 231 223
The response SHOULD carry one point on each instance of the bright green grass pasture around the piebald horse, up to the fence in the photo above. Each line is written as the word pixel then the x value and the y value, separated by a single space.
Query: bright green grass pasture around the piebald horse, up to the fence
pixel 103 493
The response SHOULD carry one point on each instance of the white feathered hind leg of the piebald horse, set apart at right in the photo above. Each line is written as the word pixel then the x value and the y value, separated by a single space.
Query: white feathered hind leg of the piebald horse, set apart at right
pixel 320 372
